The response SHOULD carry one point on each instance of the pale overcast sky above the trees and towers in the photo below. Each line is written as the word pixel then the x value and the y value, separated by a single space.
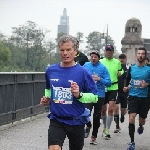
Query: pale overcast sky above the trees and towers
pixel 85 16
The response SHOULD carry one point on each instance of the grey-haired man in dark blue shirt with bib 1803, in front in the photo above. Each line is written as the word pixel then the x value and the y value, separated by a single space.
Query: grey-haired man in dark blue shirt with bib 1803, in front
pixel 68 87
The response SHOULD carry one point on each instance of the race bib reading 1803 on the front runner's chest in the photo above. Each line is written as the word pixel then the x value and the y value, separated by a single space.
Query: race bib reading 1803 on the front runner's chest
pixel 62 95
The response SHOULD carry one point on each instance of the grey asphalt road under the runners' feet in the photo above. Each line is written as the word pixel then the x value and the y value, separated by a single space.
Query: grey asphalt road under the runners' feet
pixel 31 134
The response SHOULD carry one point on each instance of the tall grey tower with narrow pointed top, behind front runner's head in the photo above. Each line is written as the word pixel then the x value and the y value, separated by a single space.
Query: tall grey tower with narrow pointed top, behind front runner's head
pixel 64 23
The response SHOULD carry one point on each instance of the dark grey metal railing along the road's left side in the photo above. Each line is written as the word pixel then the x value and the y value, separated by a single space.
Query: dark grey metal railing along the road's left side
pixel 20 94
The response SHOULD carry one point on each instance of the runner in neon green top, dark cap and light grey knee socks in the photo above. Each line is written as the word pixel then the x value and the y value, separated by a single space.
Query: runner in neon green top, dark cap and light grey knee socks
pixel 114 68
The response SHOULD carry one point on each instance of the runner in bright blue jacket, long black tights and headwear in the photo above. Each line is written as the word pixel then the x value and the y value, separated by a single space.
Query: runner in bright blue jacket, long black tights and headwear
pixel 102 78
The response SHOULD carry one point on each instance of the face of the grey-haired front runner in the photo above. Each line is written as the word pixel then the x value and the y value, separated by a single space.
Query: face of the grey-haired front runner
pixel 67 52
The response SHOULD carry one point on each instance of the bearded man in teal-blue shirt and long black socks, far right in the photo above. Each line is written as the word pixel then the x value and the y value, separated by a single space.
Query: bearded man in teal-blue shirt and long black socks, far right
pixel 137 81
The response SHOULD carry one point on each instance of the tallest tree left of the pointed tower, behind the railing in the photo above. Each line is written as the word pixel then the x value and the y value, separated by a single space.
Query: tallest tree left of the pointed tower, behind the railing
pixel 30 37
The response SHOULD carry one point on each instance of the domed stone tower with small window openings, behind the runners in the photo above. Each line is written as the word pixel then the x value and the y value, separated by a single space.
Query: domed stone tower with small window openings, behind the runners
pixel 132 39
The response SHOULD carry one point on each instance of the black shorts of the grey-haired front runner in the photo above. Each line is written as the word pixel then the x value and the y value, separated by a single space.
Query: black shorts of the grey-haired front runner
pixel 58 131
